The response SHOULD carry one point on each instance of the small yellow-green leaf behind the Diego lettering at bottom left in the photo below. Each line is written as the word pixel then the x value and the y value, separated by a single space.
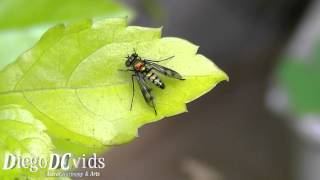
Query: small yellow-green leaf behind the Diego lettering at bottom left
pixel 23 136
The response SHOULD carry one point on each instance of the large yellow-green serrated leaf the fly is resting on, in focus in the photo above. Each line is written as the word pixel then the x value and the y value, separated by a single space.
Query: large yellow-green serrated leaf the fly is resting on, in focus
pixel 70 81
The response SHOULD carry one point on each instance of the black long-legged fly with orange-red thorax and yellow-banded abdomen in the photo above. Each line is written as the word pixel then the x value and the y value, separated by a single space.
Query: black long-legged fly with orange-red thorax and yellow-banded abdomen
pixel 145 71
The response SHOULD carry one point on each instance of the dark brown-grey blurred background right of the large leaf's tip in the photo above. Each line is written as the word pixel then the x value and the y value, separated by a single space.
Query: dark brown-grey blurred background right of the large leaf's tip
pixel 229 134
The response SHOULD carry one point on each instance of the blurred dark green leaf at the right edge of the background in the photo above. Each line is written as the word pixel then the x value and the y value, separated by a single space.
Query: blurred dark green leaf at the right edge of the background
pixel 300 77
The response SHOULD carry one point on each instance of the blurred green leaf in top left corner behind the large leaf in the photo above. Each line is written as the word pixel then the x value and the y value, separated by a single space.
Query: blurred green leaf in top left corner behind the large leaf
pixel 23 22
